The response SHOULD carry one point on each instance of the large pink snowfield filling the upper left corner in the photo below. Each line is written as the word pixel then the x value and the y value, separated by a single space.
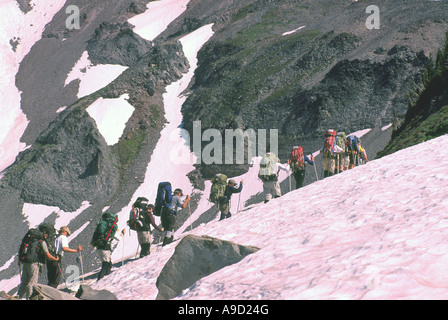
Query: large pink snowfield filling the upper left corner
pixel 27 29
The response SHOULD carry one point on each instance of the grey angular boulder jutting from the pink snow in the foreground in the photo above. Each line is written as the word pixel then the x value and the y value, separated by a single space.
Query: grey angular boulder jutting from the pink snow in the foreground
pixel 194 258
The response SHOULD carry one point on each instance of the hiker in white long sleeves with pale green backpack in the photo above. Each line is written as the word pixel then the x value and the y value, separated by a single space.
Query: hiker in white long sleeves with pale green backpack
pixel 270 166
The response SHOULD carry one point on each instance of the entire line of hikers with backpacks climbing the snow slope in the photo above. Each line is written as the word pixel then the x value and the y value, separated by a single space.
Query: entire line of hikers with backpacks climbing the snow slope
pixel 44 245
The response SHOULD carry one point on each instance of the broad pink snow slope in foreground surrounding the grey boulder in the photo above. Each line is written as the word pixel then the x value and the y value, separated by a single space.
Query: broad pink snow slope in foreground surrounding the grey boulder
pixel 380 234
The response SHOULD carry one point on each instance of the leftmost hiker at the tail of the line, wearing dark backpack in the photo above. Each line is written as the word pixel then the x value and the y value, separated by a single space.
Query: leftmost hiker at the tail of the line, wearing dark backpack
pixel 32 259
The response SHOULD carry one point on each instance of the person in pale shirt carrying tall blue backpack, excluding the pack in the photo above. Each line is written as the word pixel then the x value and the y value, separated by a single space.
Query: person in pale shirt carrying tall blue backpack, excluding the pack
pixel 168 216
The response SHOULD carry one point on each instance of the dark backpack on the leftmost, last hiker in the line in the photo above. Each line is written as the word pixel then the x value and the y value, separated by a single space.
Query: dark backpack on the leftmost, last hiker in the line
pixel 30 250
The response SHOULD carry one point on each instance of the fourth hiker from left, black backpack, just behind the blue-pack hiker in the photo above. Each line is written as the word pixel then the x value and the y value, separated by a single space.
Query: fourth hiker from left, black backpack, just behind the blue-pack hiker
pixel 141 220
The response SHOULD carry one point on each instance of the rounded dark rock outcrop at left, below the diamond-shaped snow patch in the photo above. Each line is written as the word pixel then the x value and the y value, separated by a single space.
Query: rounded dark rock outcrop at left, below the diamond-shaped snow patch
pixel 70 161
